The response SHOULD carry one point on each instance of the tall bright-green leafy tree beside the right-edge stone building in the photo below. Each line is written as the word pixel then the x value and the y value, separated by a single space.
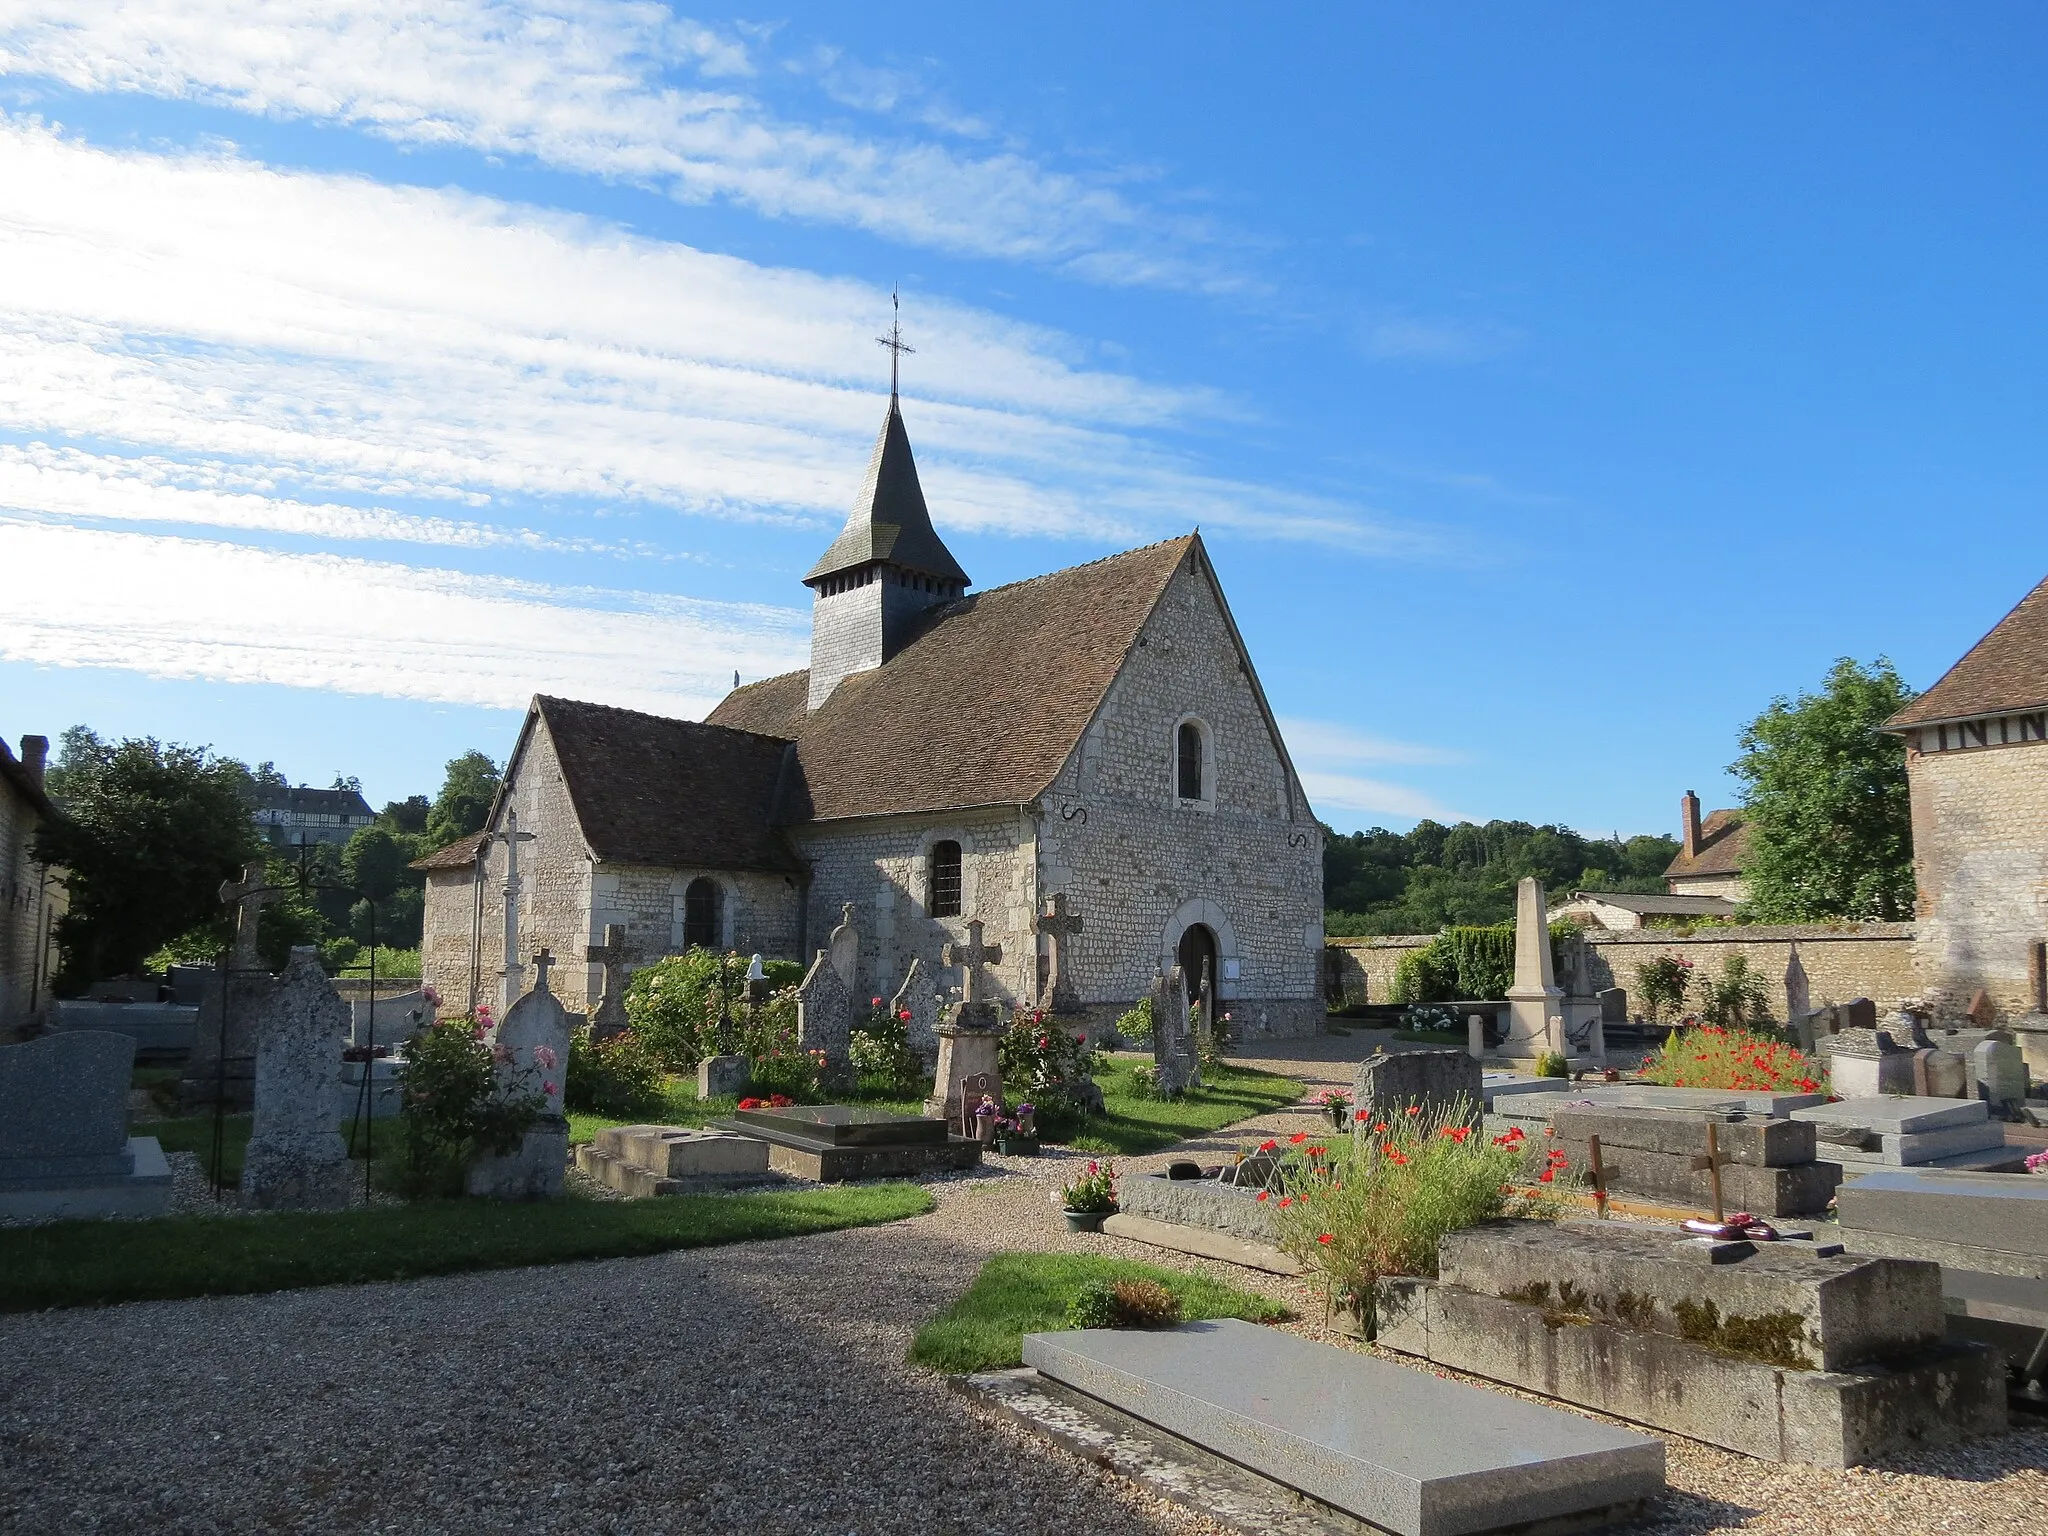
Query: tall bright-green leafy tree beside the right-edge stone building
pixel 1828 802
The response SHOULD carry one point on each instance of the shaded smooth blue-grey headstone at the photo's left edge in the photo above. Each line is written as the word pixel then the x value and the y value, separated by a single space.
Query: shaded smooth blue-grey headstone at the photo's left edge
pixel 65 1101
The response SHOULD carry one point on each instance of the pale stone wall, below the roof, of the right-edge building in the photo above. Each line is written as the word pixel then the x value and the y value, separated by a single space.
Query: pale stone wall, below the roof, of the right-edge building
pixel 1981 865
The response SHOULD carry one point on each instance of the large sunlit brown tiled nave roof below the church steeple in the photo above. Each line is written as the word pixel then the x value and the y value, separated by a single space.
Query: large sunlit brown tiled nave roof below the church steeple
pixel 980 710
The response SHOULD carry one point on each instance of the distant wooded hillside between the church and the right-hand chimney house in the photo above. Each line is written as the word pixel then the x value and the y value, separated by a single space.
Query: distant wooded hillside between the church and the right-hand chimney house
pixel 1437 878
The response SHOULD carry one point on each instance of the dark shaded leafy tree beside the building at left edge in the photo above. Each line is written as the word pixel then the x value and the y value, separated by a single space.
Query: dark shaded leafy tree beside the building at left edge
pixel 148 835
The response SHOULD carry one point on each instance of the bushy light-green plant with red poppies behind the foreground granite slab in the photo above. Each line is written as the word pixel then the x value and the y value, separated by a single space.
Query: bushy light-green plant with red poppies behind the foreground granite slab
pixel 1383 1203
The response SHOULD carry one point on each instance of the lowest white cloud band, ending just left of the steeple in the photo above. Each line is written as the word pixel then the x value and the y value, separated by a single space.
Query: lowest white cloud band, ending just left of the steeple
pixel 222 613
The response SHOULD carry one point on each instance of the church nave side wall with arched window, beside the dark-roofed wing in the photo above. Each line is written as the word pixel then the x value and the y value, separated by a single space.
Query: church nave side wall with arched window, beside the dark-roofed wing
pixel 884 867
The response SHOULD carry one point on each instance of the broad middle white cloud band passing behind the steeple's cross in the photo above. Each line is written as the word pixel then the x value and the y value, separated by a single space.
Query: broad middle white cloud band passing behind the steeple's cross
pixel 327 341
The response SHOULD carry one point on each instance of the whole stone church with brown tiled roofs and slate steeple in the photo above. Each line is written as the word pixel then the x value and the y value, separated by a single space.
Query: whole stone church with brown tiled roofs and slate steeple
pixel 1097 734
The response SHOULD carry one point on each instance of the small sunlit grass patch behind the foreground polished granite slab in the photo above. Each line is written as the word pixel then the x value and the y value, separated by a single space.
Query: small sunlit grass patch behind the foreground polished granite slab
pixel 1029 1293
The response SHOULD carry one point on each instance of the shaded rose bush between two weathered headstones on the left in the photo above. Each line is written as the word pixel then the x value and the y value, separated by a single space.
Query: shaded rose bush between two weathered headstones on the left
pixel 458 1105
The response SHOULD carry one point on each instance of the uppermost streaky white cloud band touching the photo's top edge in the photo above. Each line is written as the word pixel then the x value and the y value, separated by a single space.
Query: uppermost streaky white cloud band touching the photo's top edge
pixel 615 89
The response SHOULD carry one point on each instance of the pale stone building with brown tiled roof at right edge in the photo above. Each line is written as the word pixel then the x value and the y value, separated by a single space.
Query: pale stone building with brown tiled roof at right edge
pixel 1977 763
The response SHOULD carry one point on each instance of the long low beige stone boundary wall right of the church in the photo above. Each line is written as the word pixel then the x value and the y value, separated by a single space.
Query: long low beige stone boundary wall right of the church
pixel 1842 962
